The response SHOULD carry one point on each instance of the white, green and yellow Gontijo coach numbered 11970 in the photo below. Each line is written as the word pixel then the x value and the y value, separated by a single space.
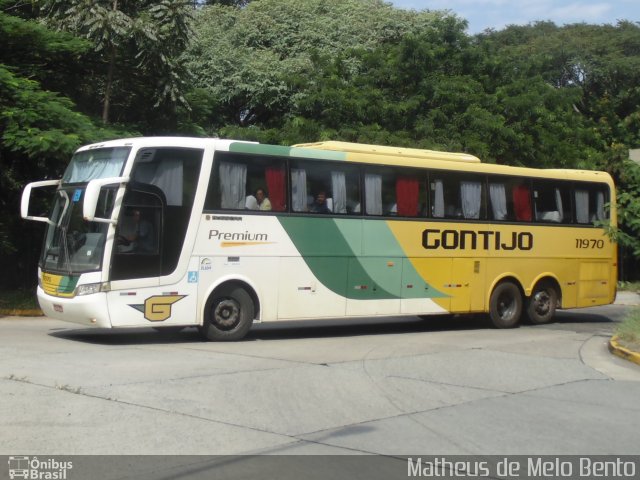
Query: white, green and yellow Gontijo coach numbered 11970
pixel 176 232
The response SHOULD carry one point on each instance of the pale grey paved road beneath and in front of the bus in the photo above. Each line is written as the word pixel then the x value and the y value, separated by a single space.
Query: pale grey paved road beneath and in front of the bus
pixel 400 387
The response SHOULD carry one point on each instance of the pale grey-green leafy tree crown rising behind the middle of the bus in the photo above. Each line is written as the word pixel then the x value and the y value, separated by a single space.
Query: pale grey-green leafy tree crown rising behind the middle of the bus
pixel 255 61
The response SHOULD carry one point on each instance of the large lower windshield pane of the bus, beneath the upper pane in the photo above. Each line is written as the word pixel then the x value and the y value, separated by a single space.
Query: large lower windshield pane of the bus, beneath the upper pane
pixel 73 245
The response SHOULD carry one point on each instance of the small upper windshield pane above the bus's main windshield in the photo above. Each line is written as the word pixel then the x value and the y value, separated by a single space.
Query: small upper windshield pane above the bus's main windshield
pixel 93 164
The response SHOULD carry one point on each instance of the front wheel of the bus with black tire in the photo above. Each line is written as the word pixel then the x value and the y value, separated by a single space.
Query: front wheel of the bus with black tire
pixel 228 315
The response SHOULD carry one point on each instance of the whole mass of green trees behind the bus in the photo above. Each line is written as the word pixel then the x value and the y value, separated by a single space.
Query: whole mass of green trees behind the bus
pixel 291 71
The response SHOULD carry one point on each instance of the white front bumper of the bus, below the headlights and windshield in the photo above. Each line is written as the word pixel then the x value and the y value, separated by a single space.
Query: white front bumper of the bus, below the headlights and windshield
pixel 89 310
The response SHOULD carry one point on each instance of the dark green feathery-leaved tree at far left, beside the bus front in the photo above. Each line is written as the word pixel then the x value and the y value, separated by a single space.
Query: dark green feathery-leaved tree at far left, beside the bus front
pixel 39 129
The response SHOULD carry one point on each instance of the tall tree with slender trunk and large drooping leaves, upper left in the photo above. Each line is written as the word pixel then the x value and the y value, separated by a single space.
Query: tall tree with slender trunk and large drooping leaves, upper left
pixel 136 40
